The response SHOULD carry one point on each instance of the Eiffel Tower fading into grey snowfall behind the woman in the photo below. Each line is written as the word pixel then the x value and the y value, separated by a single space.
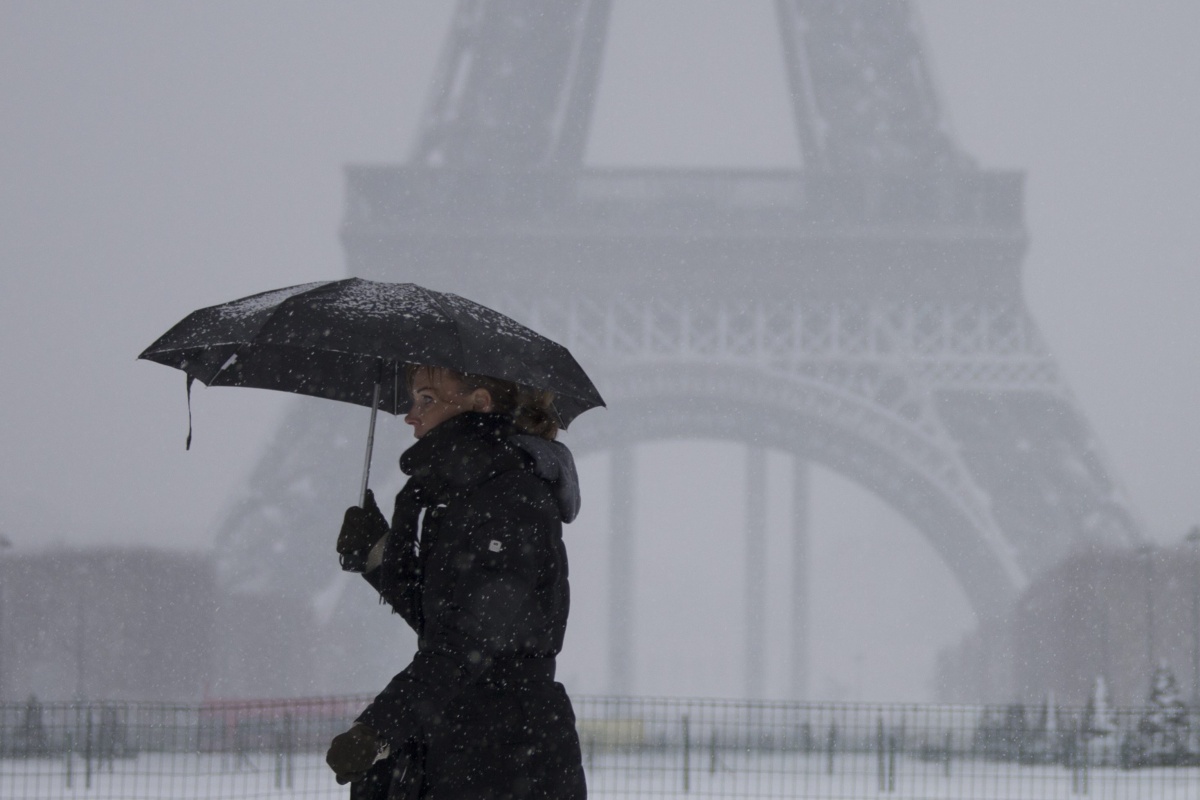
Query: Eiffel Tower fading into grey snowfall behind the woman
pixel 863 312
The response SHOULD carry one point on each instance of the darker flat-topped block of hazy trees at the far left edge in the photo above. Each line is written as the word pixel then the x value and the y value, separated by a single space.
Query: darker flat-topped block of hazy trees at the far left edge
pixel 122 623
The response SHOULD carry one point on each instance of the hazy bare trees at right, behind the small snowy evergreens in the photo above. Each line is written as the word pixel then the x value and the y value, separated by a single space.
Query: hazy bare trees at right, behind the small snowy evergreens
pixel 1113 615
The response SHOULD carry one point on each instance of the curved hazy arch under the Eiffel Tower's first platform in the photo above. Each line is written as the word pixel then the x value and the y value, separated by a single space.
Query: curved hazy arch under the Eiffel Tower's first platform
pixel 820 424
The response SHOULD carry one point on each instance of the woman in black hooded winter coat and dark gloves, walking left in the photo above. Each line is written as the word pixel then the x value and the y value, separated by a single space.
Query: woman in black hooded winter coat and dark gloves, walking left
pixel 475 562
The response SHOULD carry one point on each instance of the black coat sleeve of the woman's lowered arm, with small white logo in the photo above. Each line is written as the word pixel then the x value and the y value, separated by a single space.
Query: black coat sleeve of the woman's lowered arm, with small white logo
pixel 491 605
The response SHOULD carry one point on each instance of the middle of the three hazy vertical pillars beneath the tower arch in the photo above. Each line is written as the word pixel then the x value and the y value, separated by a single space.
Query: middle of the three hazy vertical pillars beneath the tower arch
pixel 757 570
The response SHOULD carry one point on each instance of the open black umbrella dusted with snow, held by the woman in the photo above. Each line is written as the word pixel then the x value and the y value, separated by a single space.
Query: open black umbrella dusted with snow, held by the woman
pixel 350 341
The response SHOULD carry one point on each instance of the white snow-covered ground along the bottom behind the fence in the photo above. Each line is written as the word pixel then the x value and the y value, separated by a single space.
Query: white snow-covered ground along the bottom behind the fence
pixel 661 775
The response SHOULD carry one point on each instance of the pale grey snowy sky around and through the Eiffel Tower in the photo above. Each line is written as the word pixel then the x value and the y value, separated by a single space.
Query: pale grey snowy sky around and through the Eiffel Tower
pixel 163 158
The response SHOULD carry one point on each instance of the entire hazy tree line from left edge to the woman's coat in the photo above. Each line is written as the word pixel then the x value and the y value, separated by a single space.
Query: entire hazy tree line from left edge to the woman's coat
pixel 146 624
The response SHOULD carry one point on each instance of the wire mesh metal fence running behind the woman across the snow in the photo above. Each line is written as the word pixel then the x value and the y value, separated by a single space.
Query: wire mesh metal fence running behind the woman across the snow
pixel 633 748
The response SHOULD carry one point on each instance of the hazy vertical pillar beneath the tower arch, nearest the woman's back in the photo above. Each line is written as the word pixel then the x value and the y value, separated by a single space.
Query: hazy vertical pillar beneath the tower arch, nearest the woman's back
pixel 621 570
